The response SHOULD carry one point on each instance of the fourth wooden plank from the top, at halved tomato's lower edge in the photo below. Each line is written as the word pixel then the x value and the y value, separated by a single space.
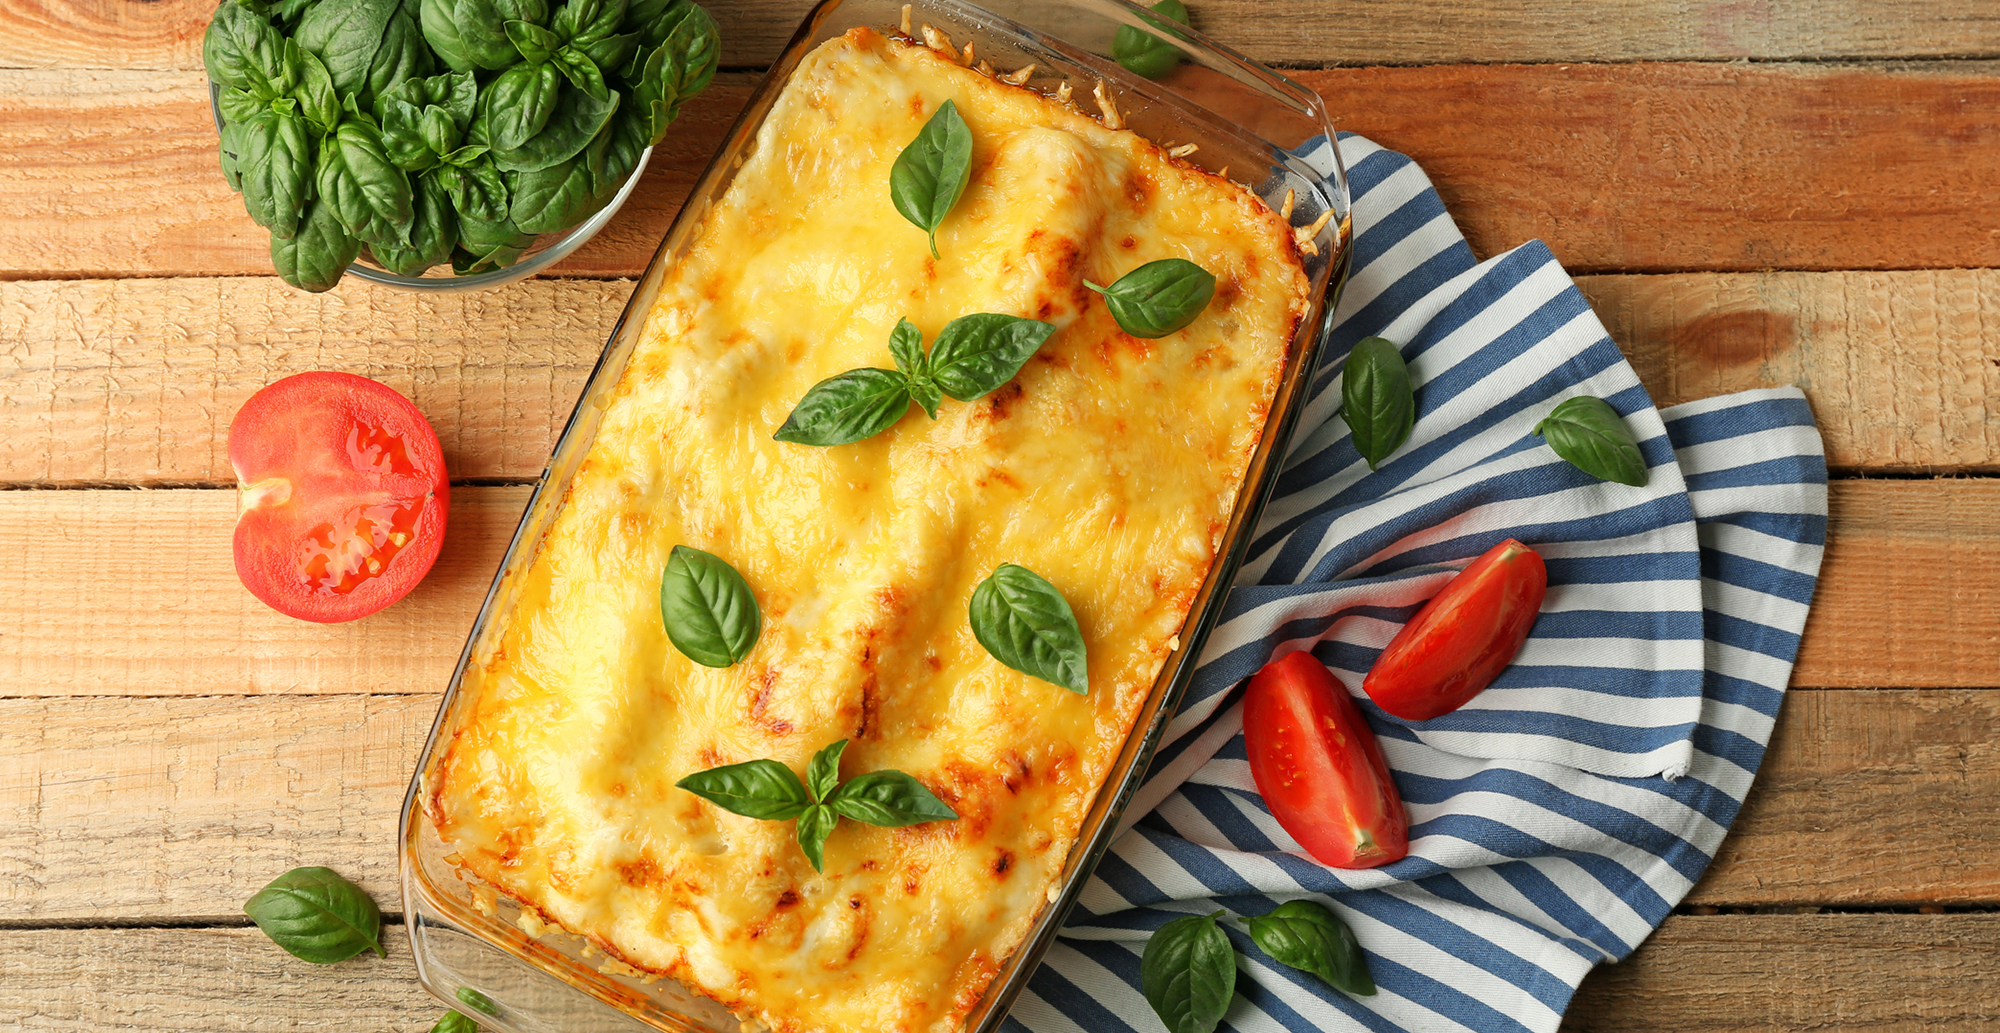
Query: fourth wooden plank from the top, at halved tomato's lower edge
pixel 1911 598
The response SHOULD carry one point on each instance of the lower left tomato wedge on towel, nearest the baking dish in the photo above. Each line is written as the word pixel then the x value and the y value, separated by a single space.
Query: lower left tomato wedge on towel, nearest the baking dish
pixel 1321 770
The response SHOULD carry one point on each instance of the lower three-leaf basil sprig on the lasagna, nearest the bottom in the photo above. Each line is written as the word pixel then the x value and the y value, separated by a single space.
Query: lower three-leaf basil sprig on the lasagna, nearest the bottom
pixel 771 792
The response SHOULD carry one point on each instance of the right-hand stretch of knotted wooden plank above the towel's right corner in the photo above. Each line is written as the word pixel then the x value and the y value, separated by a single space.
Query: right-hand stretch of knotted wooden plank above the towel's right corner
pixel 1899 367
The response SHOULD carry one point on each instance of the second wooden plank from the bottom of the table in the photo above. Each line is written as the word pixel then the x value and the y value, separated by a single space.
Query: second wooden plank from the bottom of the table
pixel 161 808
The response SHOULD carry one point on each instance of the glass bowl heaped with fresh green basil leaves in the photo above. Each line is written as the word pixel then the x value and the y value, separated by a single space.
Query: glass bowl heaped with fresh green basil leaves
pixel 445 145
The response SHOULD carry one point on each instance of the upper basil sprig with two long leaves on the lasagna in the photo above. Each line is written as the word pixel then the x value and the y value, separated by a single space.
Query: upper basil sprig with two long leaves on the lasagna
pixel 971 357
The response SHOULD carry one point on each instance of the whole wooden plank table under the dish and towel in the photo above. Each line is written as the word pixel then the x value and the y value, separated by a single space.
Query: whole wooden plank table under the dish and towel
pixel 1751 191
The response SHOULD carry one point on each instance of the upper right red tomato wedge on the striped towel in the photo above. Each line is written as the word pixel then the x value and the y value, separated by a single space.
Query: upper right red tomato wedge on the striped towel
pixel 1465 638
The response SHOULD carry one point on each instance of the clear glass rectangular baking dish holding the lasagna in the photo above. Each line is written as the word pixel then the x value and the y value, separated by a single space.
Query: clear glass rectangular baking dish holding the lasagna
pixel 473 946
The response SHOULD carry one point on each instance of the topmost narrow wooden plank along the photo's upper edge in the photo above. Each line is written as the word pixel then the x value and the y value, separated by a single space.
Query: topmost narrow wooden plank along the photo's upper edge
pixel 169 33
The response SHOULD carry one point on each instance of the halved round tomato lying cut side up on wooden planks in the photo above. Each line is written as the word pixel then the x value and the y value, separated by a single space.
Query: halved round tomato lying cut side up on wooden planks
pixel 341 495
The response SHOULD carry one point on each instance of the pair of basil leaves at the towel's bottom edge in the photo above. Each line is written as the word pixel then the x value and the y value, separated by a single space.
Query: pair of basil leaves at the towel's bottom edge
pixel 1189 970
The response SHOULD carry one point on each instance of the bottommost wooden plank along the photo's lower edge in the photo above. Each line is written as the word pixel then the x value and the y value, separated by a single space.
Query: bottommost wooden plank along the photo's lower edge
pixel 1727 974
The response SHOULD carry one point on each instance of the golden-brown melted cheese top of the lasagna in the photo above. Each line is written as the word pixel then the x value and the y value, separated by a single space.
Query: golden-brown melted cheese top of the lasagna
pixel 1109 467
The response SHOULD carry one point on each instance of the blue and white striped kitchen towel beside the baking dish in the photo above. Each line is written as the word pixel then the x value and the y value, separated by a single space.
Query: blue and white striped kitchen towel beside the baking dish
pixel 1559 818
